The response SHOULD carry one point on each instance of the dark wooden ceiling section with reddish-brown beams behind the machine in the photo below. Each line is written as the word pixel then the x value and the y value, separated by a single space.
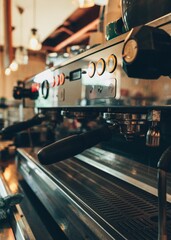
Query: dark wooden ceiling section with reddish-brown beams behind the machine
pixel 75 30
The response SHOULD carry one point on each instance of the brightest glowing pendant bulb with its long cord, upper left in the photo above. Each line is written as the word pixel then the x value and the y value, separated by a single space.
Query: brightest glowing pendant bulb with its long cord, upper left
pixel 34 43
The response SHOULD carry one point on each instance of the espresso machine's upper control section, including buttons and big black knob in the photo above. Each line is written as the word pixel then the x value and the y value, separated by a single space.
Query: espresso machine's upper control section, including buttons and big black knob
pixel 128 71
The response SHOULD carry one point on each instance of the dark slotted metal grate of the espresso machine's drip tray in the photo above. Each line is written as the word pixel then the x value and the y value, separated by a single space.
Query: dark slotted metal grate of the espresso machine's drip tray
pixel 126 208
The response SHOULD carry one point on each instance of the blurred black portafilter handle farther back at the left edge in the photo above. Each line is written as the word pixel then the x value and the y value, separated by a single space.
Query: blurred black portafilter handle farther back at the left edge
pixel 10 130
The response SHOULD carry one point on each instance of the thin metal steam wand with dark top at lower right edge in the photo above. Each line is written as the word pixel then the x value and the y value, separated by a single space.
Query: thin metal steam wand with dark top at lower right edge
pixel 163 166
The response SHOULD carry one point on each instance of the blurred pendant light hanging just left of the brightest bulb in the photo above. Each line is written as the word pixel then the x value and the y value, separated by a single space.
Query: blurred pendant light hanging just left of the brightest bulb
pixel 21 55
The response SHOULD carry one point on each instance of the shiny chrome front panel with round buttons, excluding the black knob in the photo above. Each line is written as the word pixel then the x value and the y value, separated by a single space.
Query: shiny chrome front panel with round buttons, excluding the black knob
pixel 96 78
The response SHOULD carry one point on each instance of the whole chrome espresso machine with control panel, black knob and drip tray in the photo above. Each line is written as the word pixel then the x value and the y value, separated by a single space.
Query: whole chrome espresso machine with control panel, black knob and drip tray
pixel 104 174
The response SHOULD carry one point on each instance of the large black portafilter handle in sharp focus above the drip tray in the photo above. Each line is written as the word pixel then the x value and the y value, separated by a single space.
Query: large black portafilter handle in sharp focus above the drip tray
pixel 73 145
